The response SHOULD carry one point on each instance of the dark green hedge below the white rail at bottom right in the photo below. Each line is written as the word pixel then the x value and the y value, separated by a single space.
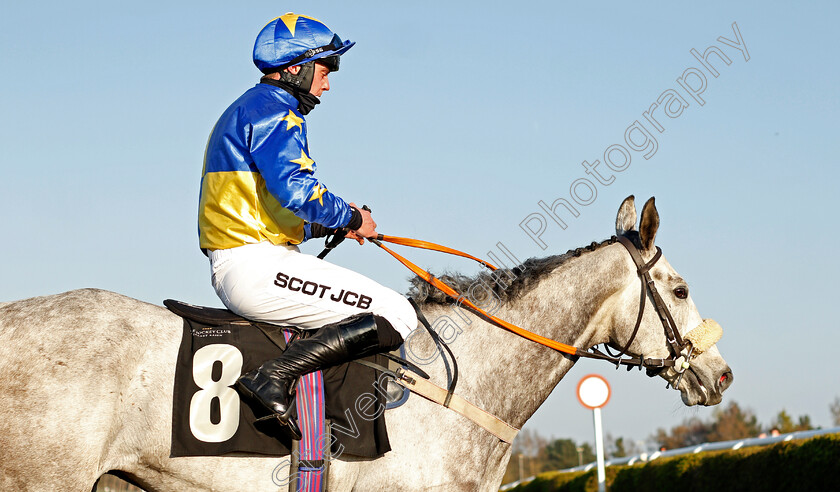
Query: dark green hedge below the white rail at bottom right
pixel 812 464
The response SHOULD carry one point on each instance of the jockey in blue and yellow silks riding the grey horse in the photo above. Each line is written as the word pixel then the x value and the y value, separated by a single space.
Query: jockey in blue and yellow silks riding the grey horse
pixel 260 199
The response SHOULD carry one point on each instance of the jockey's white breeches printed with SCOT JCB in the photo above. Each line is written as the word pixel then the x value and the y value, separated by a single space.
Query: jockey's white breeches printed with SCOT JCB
pixel 281 285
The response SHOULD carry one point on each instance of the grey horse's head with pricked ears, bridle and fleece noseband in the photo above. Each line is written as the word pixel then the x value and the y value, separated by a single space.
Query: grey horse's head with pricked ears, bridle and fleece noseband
pixel 706 374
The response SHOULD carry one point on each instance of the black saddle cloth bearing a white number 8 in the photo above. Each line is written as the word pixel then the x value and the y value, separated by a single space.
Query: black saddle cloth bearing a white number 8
pixel 355 403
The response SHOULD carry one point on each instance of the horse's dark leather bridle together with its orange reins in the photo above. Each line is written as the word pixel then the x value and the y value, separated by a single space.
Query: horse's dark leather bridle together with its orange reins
pixel 680 350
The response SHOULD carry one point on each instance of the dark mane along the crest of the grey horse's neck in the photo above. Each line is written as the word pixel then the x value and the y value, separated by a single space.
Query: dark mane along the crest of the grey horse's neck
pixel 514 282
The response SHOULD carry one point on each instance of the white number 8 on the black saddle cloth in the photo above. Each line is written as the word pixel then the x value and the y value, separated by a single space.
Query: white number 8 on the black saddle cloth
pixel 200 424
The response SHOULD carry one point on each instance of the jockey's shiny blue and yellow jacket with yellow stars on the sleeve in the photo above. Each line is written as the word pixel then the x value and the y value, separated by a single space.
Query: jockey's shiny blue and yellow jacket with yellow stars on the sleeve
pixel 258 181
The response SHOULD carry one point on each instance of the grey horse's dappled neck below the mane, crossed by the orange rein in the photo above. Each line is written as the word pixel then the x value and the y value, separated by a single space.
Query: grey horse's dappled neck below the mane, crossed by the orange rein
pixel 510 376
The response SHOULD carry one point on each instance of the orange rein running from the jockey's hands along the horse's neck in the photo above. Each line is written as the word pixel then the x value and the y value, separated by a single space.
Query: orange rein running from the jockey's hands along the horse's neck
pixel 446 289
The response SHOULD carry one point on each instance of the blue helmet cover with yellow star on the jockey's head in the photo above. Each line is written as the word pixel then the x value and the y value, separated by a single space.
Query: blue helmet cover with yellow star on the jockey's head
pixel 293 39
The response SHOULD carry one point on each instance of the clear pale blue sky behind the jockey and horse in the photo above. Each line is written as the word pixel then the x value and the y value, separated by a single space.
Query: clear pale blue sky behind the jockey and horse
pixel 452 121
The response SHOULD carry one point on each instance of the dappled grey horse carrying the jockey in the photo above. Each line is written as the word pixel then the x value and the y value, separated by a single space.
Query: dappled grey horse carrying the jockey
pixel 87 379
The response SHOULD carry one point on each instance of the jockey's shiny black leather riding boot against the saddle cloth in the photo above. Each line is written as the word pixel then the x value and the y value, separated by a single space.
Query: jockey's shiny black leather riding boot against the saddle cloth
pixel 272 384
